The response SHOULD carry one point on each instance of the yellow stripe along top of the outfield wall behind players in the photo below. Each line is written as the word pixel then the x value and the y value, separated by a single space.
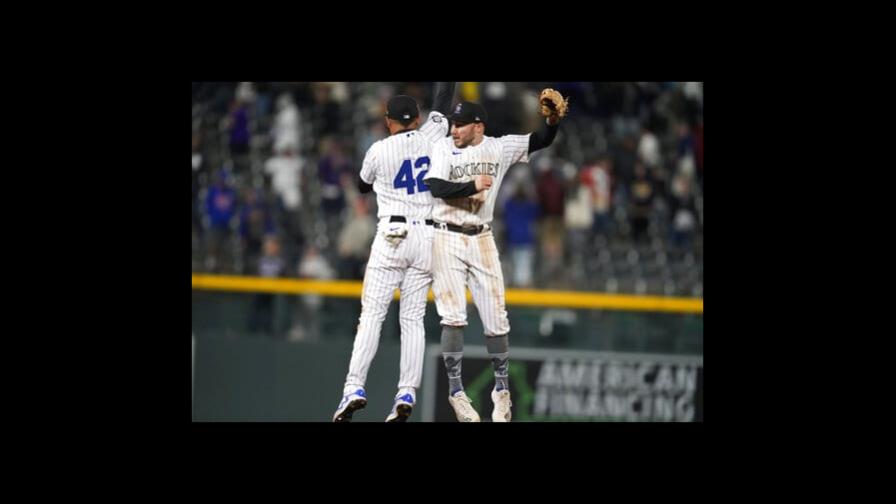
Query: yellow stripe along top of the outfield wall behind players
pixel 525 297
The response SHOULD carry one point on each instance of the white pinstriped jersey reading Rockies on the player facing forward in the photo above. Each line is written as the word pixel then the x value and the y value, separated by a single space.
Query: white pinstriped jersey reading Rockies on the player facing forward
pixel 493 156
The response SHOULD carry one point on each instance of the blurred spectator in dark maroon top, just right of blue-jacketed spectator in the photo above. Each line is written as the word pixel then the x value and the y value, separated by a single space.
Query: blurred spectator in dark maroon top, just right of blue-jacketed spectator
pixel 550 200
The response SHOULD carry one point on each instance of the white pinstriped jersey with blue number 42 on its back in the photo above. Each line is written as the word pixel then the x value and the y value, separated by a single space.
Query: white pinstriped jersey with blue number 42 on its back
pixel 397 165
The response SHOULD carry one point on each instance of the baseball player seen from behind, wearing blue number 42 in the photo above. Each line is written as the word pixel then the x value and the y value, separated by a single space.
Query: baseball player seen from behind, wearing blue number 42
pixel 401 253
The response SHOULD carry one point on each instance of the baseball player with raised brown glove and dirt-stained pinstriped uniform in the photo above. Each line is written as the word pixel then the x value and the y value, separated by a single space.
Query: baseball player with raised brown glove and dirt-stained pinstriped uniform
pixel 466 174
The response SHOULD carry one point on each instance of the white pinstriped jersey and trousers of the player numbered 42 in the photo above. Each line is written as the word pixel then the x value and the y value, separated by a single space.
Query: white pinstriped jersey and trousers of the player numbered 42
pixel 395 166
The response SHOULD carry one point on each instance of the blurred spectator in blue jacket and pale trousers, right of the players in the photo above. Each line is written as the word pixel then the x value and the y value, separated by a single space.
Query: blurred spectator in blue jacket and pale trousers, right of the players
pixel 520 213
